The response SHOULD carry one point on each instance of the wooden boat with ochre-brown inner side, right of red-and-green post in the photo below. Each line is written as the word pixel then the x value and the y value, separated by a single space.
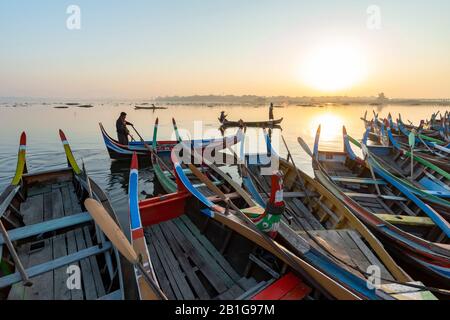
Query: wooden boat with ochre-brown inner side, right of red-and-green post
pixel 341 245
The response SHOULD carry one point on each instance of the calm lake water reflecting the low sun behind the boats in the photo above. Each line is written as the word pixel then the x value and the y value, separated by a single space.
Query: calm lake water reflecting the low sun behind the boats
pixel 44 148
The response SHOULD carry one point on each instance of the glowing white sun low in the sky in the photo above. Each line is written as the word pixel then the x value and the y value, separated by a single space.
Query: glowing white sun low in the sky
pixel 330 68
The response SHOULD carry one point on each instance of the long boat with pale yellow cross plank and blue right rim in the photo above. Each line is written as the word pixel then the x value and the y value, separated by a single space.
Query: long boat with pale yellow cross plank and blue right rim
pixel 411 230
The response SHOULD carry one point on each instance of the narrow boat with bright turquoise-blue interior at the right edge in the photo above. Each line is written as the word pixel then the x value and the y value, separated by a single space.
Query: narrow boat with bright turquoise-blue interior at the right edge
pixel 428 182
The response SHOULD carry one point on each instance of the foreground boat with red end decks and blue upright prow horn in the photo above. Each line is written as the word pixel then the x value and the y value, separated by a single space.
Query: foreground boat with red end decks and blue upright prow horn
pixel 199 255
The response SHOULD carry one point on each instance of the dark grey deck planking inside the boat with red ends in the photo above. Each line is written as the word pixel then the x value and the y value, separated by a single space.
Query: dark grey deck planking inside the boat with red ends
pixel 194 268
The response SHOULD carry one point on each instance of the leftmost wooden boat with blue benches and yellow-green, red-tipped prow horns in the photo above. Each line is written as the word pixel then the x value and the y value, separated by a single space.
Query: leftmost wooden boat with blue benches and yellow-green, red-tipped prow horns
pixel 53 250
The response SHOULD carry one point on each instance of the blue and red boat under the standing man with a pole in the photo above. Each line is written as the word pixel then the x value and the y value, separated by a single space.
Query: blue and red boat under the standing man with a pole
pixel 119 151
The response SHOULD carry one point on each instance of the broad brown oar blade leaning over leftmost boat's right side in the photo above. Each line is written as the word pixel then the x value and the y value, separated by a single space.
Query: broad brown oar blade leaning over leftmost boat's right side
pixel 119 240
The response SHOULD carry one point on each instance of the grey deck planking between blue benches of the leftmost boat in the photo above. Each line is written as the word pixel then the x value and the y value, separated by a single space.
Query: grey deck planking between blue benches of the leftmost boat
pixel 45 203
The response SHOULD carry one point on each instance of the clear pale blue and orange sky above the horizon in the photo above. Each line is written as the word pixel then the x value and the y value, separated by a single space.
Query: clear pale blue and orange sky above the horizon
pixel 141 49
